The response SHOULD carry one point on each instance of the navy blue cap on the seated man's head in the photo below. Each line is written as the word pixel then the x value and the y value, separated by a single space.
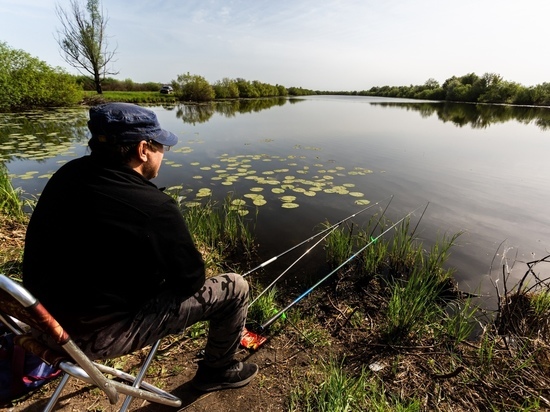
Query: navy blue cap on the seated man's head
pixel 124 123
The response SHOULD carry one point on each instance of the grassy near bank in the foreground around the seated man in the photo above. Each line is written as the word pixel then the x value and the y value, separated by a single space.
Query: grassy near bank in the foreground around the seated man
pixel 388 332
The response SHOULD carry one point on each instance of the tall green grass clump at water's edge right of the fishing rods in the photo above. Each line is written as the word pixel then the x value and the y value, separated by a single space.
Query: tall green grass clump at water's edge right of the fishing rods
pixel 414 281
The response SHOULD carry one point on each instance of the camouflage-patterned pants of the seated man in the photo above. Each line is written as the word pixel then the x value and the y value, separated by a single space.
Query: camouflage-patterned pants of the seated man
pixel 223 301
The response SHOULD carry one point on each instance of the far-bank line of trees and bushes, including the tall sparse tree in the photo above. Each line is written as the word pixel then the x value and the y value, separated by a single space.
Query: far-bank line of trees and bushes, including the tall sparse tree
pixel 27 82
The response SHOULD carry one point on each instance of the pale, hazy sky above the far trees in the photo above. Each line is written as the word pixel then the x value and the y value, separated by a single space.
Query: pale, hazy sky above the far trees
pixel 315 44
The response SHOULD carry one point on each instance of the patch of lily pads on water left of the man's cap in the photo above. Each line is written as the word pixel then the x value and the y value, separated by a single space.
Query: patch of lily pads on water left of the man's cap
pixel 39 134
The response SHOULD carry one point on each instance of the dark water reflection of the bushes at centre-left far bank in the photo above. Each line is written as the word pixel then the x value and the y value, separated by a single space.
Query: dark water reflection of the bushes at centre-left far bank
pixel 201 113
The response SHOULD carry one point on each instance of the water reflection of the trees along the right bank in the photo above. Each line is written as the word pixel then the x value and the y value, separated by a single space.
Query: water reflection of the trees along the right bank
pixel 478 116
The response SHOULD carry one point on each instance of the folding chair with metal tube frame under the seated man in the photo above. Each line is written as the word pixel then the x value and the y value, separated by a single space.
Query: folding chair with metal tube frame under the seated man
pixel 21 312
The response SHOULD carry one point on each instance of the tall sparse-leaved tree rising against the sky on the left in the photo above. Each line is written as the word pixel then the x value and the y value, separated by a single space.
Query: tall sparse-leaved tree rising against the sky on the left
pixel 83 41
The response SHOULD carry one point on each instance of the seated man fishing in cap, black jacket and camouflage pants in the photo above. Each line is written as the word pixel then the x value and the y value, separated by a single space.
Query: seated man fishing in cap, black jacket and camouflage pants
pixel 111 257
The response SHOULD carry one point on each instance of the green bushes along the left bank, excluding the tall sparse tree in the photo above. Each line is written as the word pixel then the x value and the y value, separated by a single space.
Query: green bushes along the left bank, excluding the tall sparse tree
pixel 28 82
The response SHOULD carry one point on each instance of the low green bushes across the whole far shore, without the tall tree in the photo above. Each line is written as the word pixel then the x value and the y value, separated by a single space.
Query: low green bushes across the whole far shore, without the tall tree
pixel 29 83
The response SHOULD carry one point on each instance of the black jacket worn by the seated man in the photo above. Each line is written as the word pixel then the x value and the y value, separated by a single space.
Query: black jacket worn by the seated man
pixel 102 241
